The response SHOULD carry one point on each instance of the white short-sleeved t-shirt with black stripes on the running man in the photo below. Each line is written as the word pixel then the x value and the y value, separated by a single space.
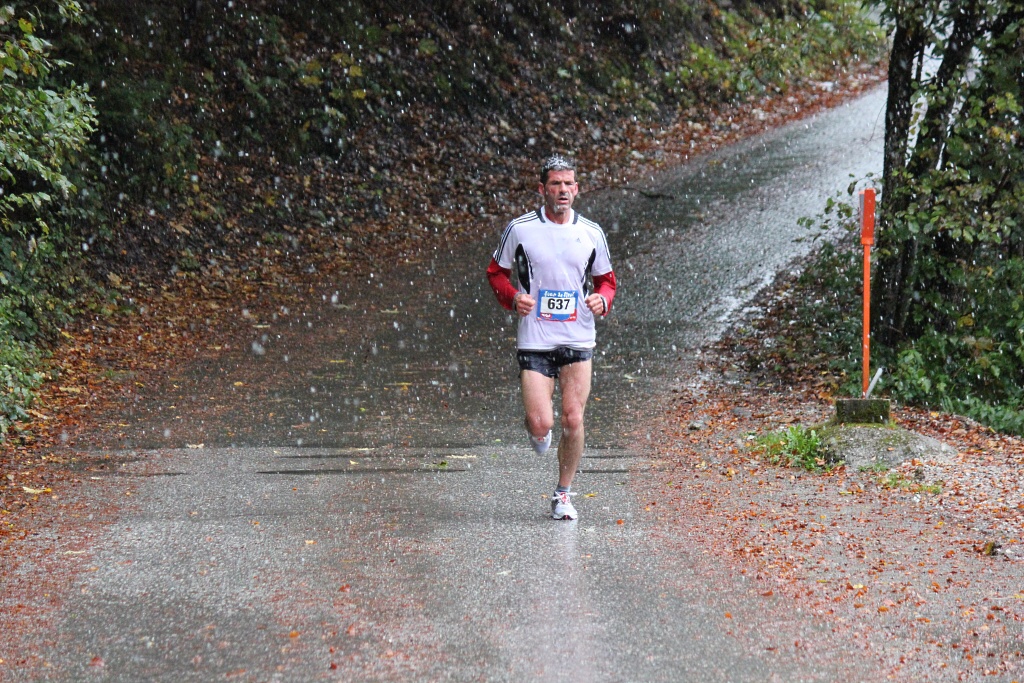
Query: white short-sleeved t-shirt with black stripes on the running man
pixel 552 262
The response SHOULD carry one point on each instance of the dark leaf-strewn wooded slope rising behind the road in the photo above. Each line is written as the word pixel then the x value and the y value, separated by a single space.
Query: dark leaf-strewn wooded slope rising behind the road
pixel 276 109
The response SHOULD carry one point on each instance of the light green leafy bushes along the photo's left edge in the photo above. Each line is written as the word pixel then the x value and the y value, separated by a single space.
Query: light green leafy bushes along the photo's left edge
pixel 42 131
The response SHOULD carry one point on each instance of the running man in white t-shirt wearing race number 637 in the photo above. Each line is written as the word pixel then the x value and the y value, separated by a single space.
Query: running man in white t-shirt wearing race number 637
pixel 554 252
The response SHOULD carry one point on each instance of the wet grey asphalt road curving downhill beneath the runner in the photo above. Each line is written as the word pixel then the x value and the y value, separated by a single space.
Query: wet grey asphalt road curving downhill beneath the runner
pixel 365 506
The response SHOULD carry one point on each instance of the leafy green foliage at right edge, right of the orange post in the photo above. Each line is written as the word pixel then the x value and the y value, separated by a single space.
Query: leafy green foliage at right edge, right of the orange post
pixel 952 248
